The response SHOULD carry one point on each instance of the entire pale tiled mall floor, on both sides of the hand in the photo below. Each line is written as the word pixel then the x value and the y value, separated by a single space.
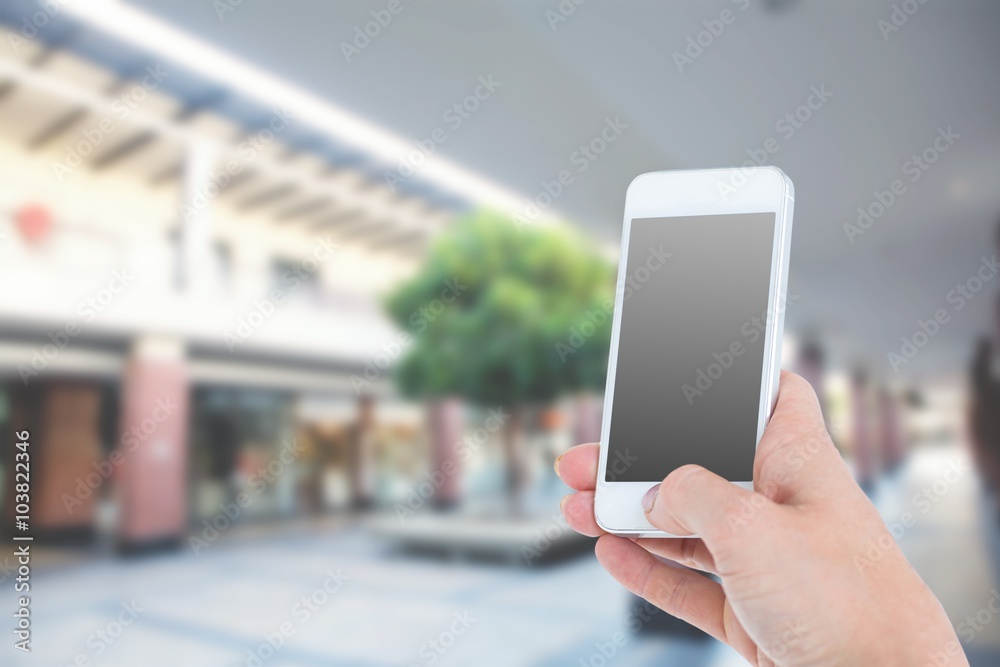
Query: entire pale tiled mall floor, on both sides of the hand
pixel 219 608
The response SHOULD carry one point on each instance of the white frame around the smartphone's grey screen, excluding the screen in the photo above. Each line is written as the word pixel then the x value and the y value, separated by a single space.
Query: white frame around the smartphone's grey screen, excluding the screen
pixel 666 194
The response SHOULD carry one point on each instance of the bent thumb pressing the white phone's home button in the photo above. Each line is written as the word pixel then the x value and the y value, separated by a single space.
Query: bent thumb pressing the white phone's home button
pixel 694 501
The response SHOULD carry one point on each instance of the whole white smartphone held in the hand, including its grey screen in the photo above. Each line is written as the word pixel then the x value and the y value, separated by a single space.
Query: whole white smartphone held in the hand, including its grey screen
pixel 696 338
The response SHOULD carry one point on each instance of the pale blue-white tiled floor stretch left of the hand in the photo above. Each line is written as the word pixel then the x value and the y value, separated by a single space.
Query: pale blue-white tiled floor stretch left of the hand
pixel 212 609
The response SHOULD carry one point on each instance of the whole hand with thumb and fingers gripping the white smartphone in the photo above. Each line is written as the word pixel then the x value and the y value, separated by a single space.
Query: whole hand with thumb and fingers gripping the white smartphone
pixel 810 574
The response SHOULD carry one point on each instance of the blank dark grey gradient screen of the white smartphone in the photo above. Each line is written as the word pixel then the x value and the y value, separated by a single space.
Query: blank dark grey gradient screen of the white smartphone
pixel 687 384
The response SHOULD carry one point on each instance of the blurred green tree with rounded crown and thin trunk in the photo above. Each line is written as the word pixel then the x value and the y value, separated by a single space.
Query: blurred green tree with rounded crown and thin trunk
pixel 502 316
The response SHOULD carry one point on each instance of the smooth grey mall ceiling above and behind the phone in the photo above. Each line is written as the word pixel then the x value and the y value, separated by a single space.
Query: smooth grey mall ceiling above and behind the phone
pixel 563 75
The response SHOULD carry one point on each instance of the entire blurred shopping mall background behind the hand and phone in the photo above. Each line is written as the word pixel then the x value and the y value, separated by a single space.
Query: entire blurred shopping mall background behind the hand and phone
pixel 214 219
